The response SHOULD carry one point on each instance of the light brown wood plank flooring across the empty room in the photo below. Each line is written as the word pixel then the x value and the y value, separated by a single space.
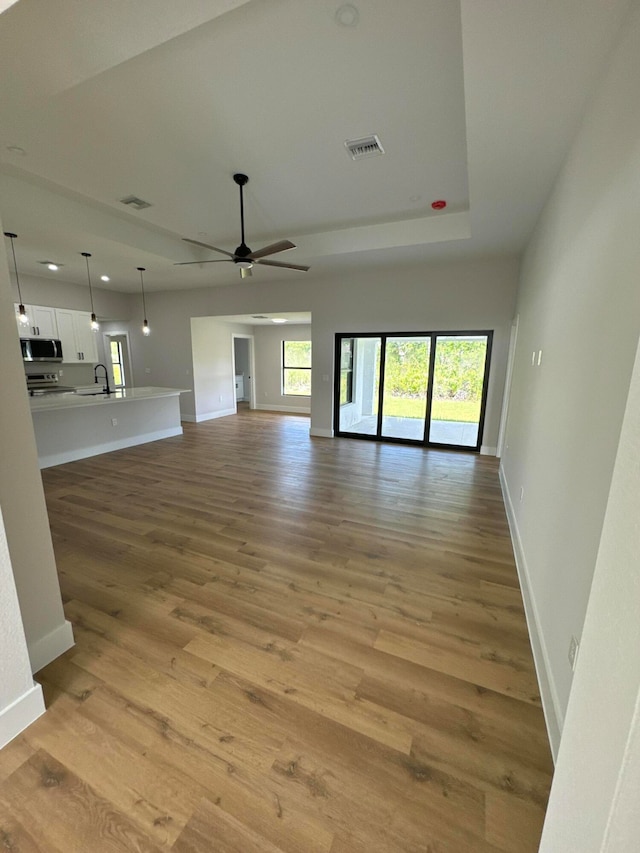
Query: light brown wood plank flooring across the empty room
pixel 284 645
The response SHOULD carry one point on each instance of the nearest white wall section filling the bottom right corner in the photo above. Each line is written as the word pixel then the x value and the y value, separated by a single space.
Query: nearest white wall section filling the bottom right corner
pixel 596 788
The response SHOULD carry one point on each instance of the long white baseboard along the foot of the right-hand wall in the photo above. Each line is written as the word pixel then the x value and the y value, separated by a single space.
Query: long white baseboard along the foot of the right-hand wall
pixel 553 713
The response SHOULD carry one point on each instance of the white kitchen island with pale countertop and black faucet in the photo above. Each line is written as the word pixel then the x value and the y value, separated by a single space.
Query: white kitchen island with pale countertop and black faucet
pixel 77 425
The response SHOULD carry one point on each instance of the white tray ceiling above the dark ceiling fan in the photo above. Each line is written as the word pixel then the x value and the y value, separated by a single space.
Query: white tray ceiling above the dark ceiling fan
pixel 475 102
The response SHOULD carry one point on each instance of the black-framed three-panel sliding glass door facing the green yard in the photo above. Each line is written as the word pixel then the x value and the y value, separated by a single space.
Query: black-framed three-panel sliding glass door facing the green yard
pixel 427 388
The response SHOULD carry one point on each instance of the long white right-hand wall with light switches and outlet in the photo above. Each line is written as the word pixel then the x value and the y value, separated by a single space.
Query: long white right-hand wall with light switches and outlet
pixel 579 302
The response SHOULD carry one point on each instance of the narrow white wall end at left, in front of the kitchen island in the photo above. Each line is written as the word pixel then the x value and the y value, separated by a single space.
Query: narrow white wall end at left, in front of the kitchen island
pixel 22 500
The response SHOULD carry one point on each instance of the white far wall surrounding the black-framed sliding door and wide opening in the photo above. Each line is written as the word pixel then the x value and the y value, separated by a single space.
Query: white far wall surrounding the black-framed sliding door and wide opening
pixel 463 295
